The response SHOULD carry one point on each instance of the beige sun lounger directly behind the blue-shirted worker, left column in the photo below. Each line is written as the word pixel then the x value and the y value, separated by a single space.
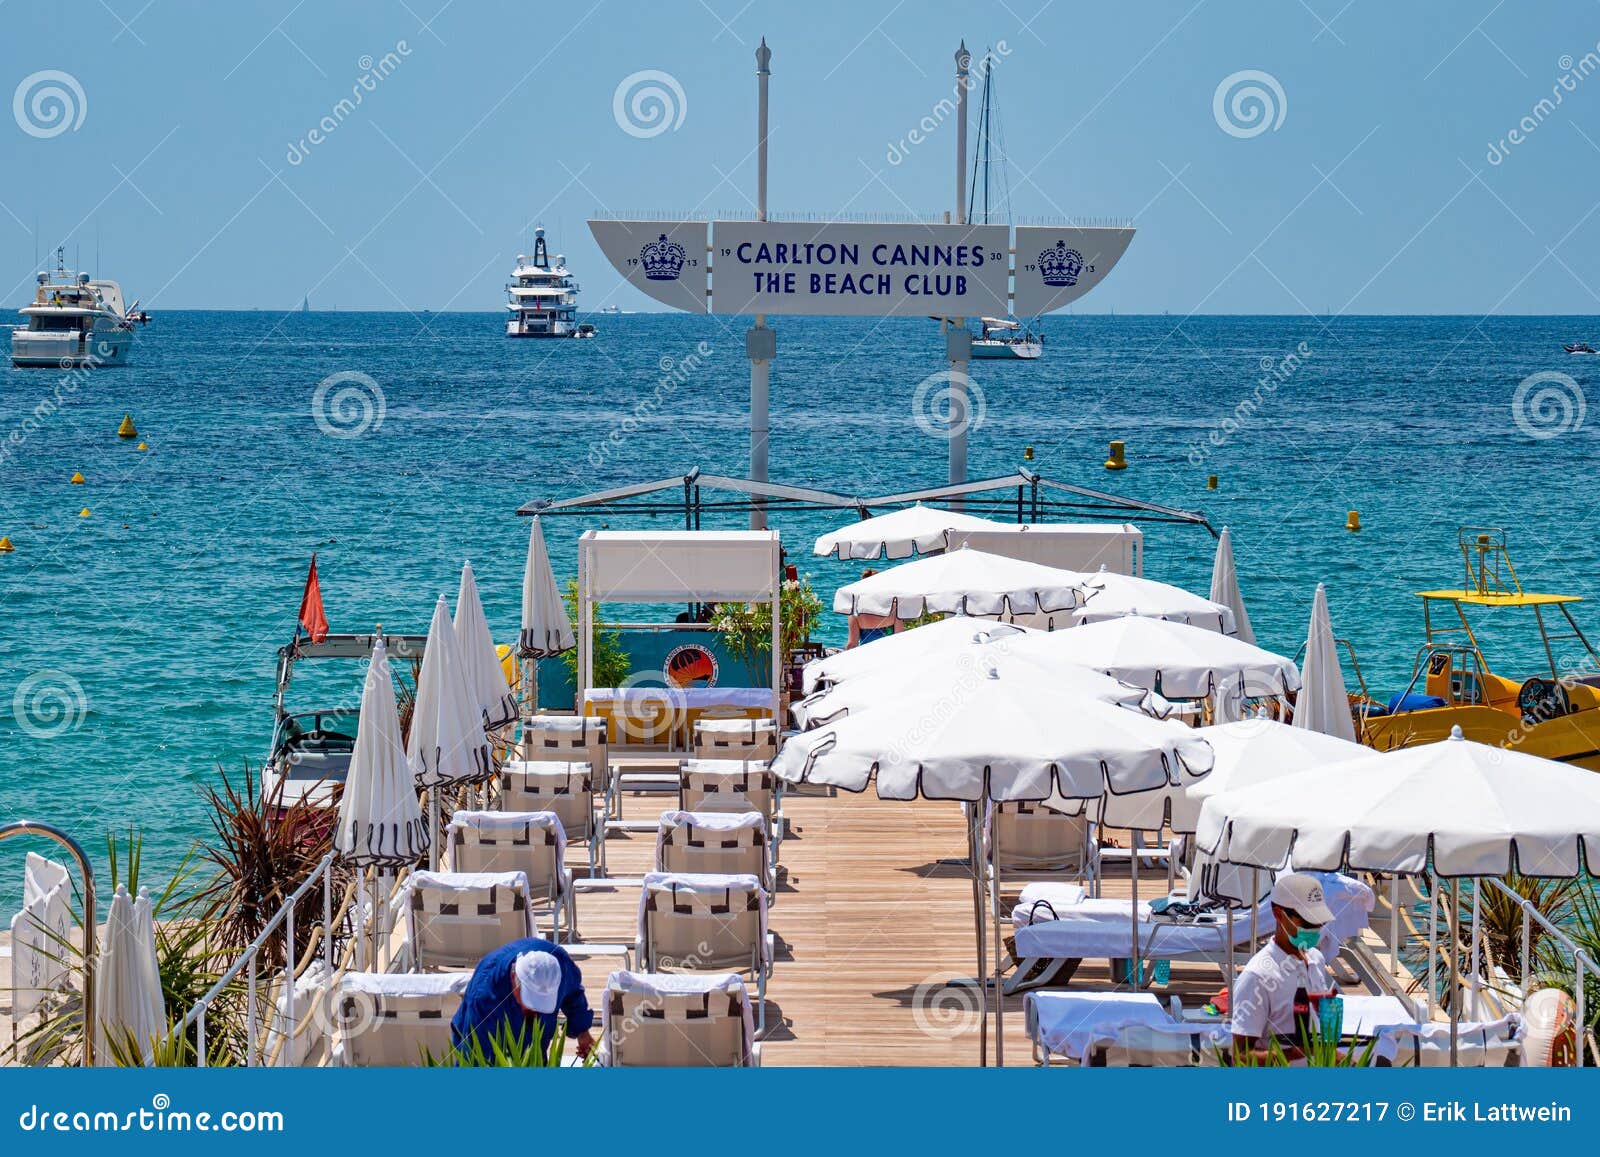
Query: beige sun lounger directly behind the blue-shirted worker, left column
pixel 455 919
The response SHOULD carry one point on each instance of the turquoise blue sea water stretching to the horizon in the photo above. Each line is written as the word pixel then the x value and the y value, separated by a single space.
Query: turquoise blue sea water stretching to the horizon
pixel 159 617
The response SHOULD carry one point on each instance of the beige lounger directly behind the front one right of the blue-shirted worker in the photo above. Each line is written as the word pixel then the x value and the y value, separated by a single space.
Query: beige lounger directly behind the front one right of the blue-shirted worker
pixel 703 923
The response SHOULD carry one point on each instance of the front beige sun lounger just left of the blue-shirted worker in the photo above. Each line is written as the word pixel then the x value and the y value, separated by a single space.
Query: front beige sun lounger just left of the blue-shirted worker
pixel 393 1019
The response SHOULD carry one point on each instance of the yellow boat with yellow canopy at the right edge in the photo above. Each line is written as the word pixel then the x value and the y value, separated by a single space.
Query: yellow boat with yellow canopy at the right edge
pixel 1554 713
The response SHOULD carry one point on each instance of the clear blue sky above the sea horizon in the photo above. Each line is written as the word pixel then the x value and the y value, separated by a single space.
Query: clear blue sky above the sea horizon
pixel 1374 191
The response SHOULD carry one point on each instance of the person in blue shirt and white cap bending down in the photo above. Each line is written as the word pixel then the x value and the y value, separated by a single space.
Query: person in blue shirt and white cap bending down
pixel 522 985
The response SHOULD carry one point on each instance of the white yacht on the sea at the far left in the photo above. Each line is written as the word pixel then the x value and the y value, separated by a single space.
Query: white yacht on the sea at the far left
pixel 74 321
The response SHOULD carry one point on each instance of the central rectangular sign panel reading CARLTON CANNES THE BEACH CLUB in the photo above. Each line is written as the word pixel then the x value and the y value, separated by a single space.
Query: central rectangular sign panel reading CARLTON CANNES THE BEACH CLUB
pixel 860 270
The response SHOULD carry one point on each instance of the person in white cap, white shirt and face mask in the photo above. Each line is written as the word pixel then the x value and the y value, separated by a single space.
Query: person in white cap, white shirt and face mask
pixel 1276 995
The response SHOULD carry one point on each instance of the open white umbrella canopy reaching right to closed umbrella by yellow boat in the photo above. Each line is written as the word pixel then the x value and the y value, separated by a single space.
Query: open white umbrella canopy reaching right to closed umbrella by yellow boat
pixel 1170 659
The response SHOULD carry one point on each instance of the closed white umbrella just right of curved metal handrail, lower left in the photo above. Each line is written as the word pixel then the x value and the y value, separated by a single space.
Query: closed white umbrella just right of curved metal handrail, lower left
pixel 129 1009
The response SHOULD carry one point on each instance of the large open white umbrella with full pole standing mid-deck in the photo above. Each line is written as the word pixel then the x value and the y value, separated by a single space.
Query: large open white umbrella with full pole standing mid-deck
pixel 1007 737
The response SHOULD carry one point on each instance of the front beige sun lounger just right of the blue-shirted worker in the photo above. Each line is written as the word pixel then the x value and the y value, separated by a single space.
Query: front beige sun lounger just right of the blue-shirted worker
pixel 678 1020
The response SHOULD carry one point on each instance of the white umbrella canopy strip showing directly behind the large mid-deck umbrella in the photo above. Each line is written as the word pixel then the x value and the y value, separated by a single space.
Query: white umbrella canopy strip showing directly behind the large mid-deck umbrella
pixel 932 675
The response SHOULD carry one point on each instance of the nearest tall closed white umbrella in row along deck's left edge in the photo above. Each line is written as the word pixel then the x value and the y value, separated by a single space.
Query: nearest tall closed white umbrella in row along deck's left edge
pixel 380 817
